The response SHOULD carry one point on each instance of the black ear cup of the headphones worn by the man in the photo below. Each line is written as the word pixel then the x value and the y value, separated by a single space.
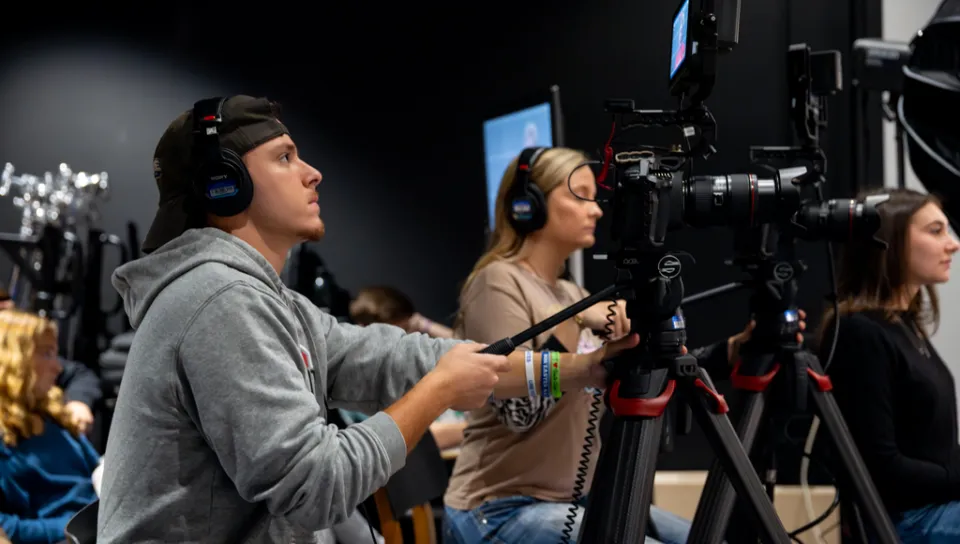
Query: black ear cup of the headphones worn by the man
pixel 225 187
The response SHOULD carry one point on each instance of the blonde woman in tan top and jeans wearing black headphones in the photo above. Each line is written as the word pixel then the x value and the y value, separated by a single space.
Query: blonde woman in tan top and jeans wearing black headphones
pixel 514 480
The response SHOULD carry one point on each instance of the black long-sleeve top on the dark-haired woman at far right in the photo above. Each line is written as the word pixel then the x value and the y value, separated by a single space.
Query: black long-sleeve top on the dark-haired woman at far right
pixel 901 407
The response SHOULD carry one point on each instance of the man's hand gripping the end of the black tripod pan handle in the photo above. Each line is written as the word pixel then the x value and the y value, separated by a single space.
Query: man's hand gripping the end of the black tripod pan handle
pixel 468 377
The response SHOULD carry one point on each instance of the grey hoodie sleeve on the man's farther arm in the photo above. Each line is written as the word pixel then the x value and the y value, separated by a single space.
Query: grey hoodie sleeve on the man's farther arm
pixel 371 367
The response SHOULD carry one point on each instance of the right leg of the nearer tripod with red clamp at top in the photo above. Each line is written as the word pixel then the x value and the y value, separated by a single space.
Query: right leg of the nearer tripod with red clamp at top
pixel 710 410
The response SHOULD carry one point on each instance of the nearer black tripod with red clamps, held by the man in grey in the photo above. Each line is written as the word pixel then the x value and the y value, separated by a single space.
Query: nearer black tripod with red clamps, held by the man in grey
pixel 644 381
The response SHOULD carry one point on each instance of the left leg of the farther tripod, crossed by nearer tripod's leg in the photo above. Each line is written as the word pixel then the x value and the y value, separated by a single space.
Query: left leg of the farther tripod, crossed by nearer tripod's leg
pixel 718 498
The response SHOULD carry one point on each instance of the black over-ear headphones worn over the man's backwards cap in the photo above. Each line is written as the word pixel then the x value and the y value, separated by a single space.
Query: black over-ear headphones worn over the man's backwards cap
pixel 222 181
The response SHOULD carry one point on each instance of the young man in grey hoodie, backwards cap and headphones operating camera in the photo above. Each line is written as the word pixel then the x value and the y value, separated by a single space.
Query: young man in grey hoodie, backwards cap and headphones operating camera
pixel 219 433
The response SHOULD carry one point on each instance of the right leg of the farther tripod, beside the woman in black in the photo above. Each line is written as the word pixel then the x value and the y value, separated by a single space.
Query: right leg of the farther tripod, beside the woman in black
pixel 856 475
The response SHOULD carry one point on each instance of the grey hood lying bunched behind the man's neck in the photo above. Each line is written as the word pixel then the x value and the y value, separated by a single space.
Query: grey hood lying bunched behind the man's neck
pixel 139 282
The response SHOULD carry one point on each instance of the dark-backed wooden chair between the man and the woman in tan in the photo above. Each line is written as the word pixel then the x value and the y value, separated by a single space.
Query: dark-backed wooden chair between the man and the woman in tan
pixel 423 478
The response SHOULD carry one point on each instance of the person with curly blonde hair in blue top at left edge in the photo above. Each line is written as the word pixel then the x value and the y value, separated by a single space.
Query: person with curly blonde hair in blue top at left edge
pixel 46 464
